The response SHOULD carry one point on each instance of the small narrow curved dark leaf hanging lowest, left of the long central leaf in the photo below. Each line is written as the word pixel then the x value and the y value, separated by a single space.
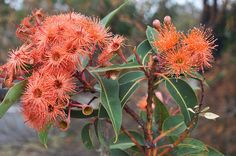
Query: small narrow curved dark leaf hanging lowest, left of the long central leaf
pixel 85 135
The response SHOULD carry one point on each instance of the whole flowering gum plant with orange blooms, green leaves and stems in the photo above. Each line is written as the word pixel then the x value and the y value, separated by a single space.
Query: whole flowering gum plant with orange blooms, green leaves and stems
pixel 66 53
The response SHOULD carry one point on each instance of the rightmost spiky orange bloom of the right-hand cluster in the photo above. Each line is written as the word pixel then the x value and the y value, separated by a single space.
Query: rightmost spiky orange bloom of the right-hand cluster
pixel 200 43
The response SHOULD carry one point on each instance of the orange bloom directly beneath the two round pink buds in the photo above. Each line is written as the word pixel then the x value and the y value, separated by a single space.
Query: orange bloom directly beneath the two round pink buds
pixel 167 38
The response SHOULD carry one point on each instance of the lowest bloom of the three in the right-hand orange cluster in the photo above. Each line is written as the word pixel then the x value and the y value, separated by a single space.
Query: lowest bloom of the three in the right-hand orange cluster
pixel 176 62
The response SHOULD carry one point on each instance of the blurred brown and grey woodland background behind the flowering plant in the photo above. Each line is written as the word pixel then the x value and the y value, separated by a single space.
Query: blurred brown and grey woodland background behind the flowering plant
pixel 18 140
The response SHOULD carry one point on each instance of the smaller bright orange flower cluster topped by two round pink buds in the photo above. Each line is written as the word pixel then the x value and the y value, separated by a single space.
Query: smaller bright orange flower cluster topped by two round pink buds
pixel 180 53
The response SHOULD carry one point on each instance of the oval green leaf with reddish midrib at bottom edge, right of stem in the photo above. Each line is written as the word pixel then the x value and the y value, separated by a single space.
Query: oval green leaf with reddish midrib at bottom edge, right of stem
pixel 190 146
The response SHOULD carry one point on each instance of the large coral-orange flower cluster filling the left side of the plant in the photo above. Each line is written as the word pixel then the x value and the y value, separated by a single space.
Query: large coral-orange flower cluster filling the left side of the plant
pixel 49 57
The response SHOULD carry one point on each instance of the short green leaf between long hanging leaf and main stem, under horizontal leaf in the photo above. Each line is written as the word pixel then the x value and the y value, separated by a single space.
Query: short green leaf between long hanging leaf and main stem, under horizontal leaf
pixel 131 76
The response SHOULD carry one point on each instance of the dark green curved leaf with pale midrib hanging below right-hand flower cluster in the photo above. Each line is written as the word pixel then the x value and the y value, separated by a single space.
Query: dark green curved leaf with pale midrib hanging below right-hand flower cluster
pixel 184 96
